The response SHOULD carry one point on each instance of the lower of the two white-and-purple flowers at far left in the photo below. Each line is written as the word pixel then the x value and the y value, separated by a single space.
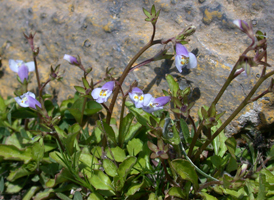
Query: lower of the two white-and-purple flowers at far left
pixel 28 100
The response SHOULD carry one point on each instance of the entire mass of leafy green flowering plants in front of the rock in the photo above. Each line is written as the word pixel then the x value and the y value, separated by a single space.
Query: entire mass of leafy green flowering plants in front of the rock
pixel 51 150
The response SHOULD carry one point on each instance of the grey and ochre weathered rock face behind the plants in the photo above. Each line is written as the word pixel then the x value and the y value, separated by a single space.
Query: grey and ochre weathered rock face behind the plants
pixel 108 33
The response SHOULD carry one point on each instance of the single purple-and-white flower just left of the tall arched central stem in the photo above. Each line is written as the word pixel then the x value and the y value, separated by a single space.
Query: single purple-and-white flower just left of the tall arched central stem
pixel 102 94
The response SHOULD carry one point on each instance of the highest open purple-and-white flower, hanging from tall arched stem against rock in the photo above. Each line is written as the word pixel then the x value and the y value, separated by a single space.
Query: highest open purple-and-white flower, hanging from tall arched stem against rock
pixel 184 58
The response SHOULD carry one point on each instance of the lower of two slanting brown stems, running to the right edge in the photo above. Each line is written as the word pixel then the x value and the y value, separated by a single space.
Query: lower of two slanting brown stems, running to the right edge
pixel 234 114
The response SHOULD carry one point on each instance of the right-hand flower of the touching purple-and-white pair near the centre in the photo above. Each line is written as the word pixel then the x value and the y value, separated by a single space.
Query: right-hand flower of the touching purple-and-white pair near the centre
pixel 151 104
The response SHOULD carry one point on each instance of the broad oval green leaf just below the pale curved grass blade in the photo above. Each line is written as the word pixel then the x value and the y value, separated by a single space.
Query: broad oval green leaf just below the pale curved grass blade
pixel 186 171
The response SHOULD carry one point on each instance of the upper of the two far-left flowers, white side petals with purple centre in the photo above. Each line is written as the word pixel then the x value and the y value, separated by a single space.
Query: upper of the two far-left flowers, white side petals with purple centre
pixel 21 68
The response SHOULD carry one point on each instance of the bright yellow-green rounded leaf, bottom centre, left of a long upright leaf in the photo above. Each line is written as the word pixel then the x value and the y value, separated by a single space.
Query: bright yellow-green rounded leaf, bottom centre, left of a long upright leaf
pixel 101 181
